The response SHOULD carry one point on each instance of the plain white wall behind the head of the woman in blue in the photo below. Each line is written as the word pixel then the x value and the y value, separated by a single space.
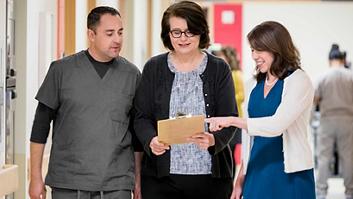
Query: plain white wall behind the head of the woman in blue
pixel 314 26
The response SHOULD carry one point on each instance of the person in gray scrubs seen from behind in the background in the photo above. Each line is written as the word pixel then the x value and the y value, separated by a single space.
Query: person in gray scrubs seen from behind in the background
pixel 334 95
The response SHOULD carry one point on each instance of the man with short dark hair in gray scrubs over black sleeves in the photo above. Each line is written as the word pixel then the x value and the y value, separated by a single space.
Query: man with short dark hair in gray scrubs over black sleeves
pixel 88 96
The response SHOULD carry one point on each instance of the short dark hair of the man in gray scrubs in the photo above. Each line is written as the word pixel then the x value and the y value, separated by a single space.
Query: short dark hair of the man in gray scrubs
pixel 96 13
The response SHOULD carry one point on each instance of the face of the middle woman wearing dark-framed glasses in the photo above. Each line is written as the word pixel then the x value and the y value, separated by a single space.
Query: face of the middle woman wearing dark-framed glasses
pixel 182 40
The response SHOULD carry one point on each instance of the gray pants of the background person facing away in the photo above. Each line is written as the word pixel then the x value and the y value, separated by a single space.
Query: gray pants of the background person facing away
pixel 331 131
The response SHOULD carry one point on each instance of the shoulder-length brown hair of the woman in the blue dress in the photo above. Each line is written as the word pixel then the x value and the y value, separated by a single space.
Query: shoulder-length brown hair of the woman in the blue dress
pixel 273 37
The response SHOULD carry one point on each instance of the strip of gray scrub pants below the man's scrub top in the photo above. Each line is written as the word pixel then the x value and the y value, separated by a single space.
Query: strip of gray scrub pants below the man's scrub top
pixel 58 193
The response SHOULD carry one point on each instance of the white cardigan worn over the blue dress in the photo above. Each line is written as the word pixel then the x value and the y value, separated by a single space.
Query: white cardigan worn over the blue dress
pixel 290 120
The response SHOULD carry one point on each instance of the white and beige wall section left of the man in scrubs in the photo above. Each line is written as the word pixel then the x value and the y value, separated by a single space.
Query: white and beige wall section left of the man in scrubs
pixel 30 64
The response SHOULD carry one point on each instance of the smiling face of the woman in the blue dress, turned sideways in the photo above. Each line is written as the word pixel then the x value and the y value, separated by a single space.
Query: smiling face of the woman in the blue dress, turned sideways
pixel 263 60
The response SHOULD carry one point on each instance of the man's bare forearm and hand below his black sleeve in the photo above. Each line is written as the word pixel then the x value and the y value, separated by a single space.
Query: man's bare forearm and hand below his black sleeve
pixel 36 185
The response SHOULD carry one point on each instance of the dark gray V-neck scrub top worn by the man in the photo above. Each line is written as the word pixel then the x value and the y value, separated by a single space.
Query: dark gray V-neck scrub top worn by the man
pixel 91 148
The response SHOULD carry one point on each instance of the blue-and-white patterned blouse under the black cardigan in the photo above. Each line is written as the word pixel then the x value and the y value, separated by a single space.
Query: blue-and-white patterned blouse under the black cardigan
pixel 187 98
